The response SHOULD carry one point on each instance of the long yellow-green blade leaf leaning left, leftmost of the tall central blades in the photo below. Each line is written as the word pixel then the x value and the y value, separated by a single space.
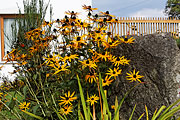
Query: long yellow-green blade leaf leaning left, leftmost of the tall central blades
pixel 82 99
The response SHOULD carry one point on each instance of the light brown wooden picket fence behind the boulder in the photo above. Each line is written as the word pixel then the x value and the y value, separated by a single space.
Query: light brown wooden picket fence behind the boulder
pixel 142 26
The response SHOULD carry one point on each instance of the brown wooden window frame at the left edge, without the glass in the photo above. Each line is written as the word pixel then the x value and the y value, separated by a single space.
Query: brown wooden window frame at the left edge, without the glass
pixel 2 17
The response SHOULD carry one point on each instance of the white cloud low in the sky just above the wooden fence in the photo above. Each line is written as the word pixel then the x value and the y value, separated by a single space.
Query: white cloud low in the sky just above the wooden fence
pixel 148 13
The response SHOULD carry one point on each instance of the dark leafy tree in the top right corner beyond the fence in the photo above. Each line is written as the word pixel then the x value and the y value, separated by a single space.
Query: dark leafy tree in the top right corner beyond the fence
pixel 172 8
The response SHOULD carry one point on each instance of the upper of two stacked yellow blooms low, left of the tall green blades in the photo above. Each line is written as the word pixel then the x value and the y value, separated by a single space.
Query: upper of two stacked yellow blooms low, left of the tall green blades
pixel 67 99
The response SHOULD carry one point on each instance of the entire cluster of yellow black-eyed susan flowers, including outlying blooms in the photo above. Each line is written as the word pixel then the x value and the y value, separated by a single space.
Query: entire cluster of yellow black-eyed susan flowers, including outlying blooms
pixel 59 50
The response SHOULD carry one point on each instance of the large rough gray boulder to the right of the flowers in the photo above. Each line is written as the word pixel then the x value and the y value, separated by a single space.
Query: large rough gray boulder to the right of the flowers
pixel 157 57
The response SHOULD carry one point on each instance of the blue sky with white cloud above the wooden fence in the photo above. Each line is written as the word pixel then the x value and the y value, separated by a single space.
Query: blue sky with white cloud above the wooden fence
pixel 132 8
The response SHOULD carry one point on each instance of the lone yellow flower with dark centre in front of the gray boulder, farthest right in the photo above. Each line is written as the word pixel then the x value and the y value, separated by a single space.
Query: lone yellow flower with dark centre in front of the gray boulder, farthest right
pixel 133 76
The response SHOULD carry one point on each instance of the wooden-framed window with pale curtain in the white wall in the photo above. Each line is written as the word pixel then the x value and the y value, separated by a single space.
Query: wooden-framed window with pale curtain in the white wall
pixel 5 24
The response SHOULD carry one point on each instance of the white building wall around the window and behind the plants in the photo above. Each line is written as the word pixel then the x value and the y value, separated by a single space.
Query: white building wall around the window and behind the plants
pixel 59 7
